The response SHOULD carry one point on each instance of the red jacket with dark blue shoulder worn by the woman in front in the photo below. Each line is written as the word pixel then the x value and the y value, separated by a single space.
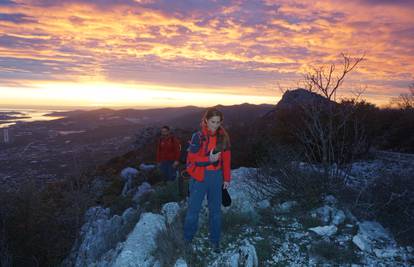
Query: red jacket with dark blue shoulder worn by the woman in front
pixel 198 155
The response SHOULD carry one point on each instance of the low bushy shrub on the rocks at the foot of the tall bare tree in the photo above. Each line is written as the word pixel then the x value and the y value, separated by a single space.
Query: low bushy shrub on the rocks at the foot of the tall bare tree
pixel 281 176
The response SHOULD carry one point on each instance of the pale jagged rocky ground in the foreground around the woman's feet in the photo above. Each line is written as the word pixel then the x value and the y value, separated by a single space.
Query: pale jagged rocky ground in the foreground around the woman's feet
pixel 283 237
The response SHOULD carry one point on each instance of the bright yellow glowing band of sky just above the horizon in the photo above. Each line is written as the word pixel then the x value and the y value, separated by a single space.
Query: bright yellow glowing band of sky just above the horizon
pixel 99 94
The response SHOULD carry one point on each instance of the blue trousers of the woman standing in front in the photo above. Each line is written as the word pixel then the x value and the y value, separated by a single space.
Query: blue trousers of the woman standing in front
pixel 211 186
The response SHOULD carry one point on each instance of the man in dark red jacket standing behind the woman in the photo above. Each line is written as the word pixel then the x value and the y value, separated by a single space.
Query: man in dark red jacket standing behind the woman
pixel 168 154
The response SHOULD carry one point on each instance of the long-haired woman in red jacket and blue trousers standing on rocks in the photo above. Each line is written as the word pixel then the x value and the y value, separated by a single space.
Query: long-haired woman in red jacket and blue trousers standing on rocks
pixel 208 163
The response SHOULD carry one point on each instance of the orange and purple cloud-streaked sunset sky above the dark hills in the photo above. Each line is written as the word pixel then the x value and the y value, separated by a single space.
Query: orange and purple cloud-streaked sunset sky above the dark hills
pixel 176 53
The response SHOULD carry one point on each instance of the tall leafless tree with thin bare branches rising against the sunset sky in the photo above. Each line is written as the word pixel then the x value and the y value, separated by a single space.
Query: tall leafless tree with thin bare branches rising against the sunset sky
pixel 330 133
